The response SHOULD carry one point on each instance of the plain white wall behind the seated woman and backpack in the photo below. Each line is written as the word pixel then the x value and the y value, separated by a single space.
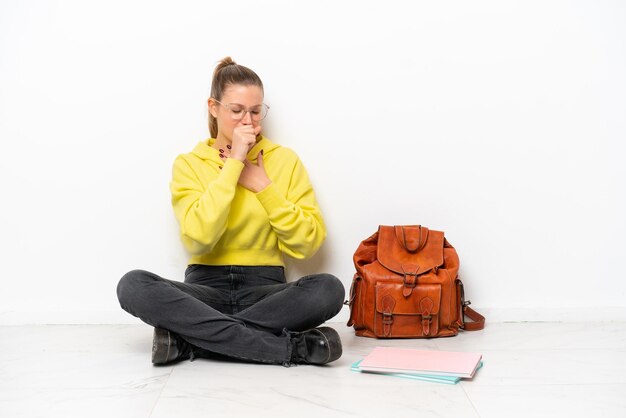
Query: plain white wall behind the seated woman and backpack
pixel 501 123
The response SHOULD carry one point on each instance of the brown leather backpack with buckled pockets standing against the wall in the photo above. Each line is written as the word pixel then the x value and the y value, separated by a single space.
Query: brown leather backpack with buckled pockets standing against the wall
pixel 406 286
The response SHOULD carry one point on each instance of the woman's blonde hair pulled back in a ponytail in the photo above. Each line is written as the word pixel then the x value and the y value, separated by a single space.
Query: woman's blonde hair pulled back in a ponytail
pixel 227 73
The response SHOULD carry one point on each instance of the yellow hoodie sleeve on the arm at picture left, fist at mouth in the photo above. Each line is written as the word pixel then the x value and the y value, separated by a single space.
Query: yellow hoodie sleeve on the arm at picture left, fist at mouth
pixel 202 209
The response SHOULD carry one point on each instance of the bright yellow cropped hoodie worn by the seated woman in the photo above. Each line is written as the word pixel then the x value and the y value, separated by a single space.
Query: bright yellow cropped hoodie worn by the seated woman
pixel 223 223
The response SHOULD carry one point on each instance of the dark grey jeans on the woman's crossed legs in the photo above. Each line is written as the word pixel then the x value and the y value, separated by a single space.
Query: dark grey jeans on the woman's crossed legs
pixel 246 312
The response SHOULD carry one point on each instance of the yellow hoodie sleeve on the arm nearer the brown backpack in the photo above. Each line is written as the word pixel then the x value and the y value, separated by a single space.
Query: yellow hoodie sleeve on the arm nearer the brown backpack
pixel 296 218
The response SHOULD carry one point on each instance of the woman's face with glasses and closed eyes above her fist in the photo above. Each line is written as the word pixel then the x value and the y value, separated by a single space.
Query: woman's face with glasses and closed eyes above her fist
pixel 237 95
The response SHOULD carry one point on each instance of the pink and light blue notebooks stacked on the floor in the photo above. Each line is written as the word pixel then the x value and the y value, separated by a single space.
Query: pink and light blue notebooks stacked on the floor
pixel 433 366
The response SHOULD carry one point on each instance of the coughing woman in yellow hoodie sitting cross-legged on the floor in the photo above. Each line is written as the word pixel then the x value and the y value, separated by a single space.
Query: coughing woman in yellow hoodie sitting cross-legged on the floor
pixel 242 202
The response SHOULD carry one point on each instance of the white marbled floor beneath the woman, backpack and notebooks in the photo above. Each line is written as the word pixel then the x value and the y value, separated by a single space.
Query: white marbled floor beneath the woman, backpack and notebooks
pixel 531 369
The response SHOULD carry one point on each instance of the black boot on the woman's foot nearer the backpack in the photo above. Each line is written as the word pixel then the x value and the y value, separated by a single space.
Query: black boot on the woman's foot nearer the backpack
pixel 316 346
